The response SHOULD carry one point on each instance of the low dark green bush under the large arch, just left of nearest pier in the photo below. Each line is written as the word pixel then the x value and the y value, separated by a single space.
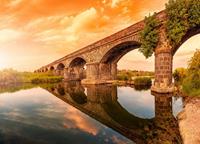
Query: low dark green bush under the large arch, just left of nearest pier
pixel 142 81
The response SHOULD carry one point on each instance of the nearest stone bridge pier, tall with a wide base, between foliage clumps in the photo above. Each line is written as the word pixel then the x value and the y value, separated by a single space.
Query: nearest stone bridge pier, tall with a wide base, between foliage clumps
pixel 163 64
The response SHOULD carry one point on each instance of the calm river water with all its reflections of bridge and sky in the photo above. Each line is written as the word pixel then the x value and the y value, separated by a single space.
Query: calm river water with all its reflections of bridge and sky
pixel 75 114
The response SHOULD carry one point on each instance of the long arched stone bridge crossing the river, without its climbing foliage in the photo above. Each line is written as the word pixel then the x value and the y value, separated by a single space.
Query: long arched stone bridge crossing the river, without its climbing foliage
pixel 97 63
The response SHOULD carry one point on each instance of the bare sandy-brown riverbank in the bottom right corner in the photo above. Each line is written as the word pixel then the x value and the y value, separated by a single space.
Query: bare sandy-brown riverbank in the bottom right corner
pixel 189 124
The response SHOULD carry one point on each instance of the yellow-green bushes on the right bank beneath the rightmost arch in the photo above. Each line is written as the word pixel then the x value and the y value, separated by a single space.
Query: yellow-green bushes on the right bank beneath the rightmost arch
pixel 189 79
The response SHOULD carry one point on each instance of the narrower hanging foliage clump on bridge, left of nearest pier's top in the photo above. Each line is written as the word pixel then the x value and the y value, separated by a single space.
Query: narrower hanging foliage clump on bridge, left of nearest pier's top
pixel 149 36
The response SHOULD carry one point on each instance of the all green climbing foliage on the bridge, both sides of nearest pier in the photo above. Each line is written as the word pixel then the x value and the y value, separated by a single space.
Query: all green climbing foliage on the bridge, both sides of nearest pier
pixel 183 15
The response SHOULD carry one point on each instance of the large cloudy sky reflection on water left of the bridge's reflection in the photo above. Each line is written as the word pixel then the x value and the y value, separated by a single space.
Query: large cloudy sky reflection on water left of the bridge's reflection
pixel 35 116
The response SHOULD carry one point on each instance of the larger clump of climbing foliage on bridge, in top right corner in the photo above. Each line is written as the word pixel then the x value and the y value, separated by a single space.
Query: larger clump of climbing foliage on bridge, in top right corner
pixel 182 15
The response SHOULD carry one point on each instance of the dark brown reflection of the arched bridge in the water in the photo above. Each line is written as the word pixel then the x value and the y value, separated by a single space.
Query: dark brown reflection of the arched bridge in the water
pixel 101 103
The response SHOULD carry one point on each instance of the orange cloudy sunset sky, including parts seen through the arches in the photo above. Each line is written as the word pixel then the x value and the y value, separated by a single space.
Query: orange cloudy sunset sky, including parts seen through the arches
pixel 34 33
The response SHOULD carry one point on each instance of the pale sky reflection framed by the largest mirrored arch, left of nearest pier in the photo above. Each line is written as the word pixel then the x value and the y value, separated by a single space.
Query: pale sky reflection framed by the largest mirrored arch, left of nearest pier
pixel 138 103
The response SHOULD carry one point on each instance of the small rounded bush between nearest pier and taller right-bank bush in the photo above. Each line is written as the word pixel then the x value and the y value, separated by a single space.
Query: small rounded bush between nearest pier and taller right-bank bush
pixel 179 74
